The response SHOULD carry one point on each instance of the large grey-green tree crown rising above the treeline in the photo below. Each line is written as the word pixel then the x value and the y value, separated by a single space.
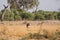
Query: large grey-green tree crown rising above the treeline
pixel 22 3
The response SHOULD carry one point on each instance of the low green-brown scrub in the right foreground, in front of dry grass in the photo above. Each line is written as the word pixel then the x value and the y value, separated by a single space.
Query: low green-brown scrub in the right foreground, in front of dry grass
pixel 39 36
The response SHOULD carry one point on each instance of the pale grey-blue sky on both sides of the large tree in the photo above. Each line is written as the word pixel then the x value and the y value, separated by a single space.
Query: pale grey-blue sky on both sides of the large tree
pixel 47 5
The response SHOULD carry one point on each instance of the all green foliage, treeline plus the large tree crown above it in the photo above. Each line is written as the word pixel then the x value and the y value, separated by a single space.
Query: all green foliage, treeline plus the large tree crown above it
pixel 17 11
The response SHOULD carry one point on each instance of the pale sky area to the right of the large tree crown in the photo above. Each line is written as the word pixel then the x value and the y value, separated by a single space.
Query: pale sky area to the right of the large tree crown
pixel 52 5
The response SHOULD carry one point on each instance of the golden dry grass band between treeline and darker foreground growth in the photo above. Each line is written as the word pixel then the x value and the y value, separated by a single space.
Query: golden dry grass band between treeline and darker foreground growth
pixel 17 28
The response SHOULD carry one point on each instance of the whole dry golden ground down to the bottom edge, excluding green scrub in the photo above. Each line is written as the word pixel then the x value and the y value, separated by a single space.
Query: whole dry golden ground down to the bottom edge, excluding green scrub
pixel 16 30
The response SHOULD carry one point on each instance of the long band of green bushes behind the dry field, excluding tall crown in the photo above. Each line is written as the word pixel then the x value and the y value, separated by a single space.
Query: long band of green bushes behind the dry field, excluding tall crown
pixel 17 15
